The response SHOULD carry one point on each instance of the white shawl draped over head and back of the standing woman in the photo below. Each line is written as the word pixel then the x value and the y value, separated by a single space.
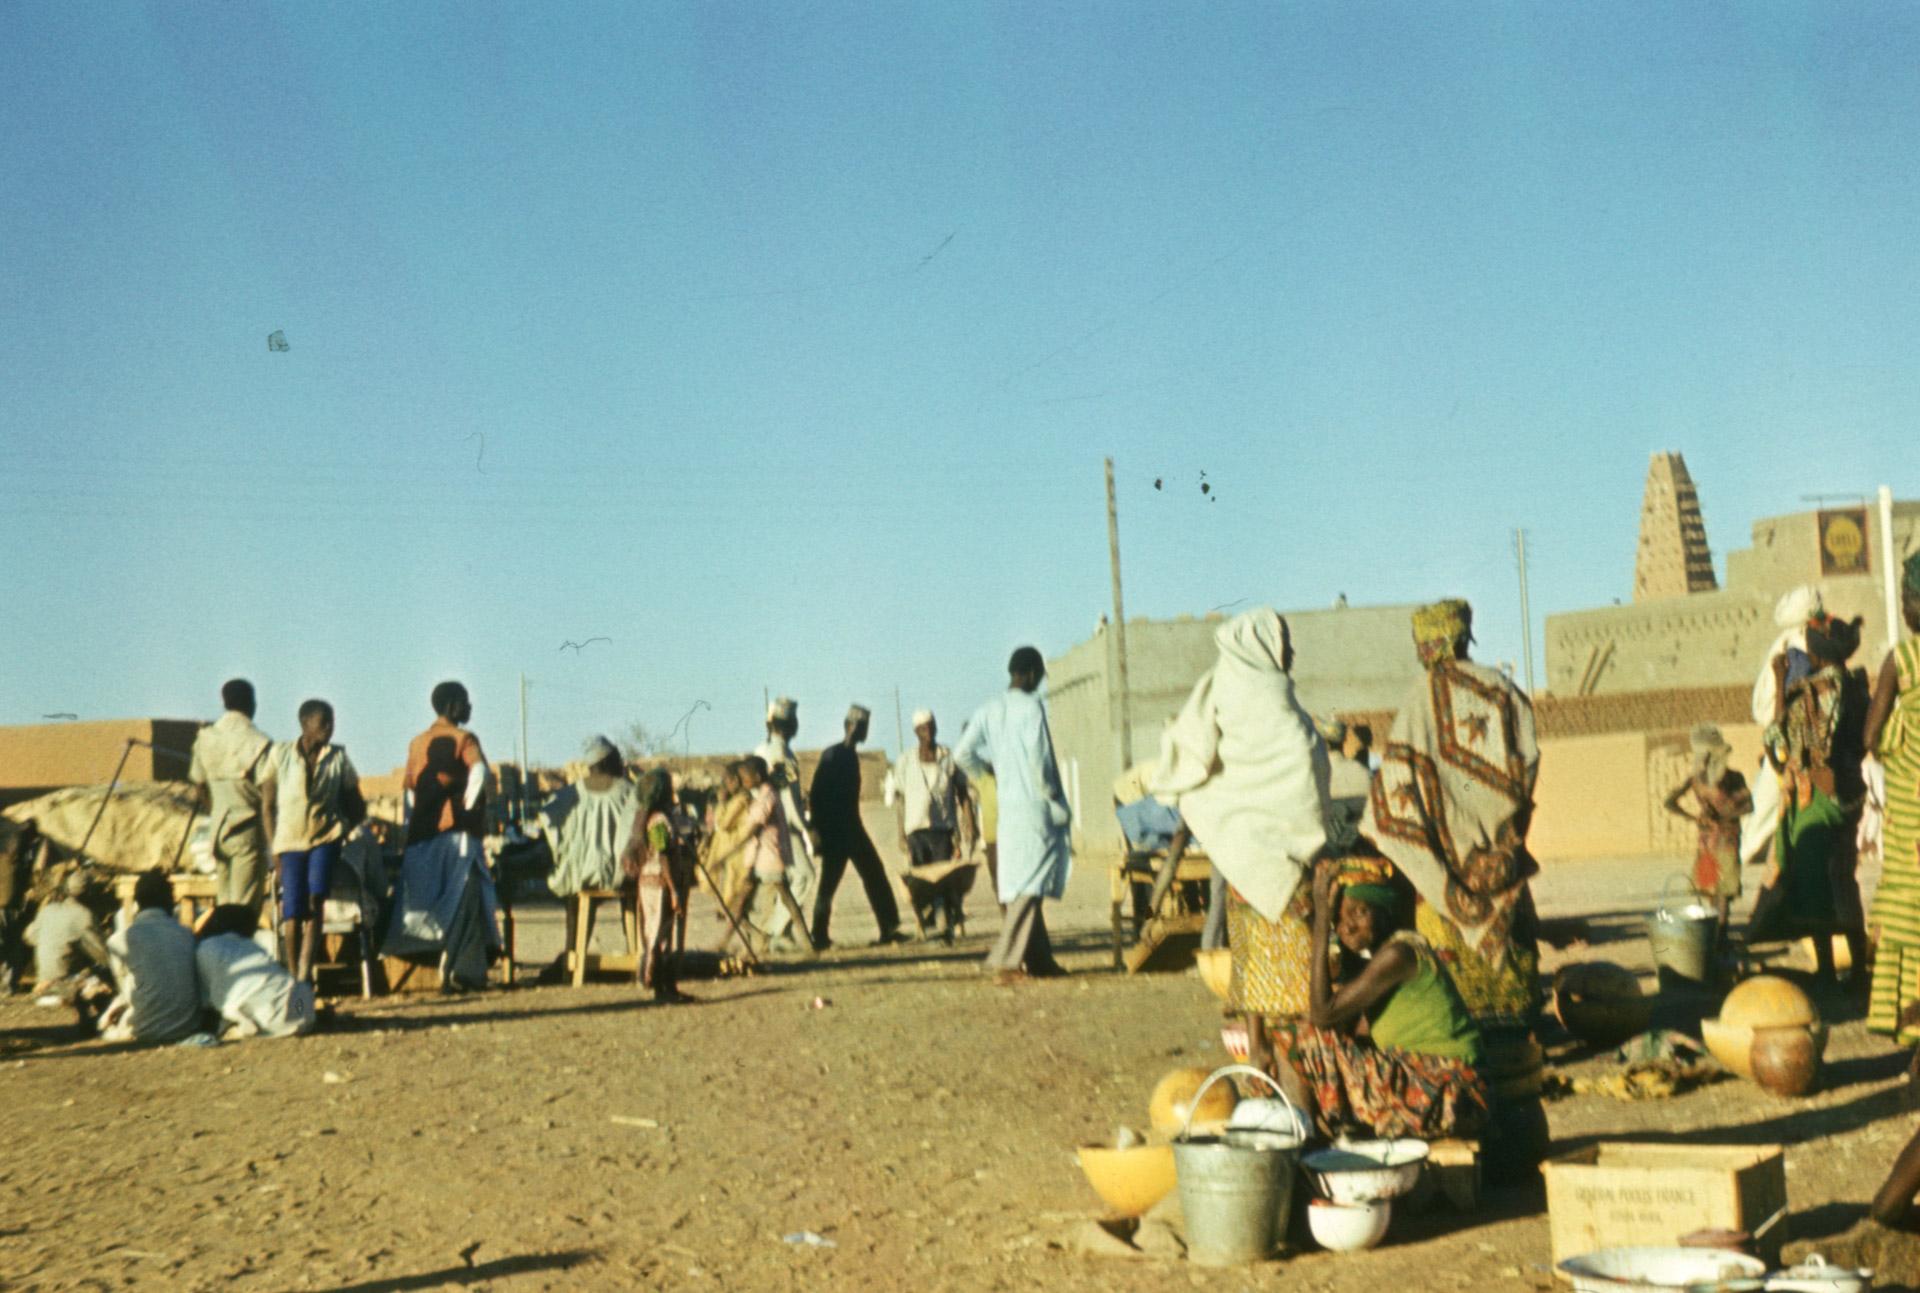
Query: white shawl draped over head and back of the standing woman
pixel 1247 769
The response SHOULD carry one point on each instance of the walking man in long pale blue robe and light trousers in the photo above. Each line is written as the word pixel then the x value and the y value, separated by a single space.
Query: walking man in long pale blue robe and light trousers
pixel 1011 741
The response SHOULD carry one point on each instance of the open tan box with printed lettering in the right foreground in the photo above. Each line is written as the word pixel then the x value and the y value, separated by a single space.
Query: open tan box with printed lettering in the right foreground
pixel 1635 1194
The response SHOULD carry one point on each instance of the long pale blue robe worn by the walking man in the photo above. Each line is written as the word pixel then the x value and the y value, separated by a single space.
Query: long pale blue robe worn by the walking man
pixel 1009 741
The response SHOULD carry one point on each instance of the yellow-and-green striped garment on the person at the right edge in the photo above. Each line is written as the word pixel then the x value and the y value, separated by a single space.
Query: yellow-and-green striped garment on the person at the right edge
pixel 1898 902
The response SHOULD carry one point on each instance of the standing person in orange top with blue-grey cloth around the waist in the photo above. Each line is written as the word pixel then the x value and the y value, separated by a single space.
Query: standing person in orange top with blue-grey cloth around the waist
pixel 444 902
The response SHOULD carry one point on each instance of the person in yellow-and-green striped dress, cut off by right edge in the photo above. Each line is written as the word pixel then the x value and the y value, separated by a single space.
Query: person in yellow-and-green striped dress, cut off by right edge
pixel 1894 733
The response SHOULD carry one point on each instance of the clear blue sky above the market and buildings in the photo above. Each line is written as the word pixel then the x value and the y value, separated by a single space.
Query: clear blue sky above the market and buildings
pixel 782 343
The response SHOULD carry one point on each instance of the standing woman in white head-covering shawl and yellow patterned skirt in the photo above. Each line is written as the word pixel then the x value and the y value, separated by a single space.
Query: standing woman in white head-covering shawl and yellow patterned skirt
pixel 1249 773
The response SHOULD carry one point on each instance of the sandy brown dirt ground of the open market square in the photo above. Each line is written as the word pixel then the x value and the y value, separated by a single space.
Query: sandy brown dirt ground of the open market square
pixel 919 1119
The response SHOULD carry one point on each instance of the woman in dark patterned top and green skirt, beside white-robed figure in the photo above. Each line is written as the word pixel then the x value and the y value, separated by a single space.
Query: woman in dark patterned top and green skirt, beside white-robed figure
pixel 1815 744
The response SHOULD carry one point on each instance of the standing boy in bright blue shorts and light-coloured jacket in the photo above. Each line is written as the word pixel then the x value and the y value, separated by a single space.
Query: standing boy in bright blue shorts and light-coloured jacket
pixel 312 800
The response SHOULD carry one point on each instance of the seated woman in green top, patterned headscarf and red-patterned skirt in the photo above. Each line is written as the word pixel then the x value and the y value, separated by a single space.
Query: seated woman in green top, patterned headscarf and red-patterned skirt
pixel 1387 1048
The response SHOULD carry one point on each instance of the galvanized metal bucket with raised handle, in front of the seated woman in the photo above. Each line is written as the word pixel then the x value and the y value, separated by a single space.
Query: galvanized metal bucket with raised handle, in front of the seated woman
pixel 1237 1190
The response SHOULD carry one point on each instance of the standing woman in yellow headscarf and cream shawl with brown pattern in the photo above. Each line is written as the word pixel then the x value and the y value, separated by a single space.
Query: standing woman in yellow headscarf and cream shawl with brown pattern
pixel 1451 808
